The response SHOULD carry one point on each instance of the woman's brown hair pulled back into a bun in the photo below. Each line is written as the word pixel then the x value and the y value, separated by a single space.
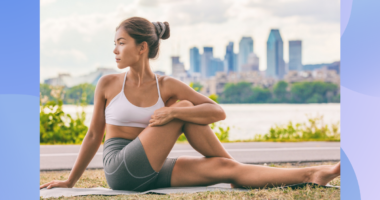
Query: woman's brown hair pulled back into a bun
pixel 142 30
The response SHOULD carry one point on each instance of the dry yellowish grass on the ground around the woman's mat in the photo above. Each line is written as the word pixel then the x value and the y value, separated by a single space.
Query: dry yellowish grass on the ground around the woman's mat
pixel 96 178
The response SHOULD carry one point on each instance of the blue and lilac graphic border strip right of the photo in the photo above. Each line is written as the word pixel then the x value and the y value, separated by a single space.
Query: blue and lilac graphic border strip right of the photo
pixel 360 99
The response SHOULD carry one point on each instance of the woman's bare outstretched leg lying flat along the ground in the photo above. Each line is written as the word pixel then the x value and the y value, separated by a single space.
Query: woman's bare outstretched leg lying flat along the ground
pixel 190 171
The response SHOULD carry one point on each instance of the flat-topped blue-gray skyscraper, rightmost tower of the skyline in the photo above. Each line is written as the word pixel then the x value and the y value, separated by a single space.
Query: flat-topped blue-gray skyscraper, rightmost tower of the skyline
pixel 295 55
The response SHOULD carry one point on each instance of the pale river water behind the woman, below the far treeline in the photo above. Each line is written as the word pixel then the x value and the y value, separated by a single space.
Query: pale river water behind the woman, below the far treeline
pixel 246 120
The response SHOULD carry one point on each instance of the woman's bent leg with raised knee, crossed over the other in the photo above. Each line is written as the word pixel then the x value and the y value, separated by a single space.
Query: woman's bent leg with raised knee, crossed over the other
pixel 163 138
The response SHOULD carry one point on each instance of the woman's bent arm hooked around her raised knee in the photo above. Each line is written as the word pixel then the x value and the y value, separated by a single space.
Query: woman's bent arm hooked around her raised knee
pixel 204 111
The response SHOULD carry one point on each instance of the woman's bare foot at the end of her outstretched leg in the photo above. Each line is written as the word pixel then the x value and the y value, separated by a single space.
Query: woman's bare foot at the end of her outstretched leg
pixel 324 174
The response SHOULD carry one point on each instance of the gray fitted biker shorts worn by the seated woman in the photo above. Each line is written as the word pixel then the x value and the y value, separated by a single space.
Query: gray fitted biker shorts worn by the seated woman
pixel 127 167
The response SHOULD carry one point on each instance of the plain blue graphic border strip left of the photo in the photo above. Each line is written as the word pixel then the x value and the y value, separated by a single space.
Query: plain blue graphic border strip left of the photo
pixel 19 99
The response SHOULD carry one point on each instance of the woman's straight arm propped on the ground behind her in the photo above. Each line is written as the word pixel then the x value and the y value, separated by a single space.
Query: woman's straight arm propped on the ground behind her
pixel 91 141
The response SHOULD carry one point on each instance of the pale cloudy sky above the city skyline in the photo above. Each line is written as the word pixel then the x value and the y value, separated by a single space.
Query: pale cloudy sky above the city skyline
pixel 77 36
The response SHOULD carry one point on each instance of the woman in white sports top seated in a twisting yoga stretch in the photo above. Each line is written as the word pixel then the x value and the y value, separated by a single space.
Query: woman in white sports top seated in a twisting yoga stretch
pixel 142 130
